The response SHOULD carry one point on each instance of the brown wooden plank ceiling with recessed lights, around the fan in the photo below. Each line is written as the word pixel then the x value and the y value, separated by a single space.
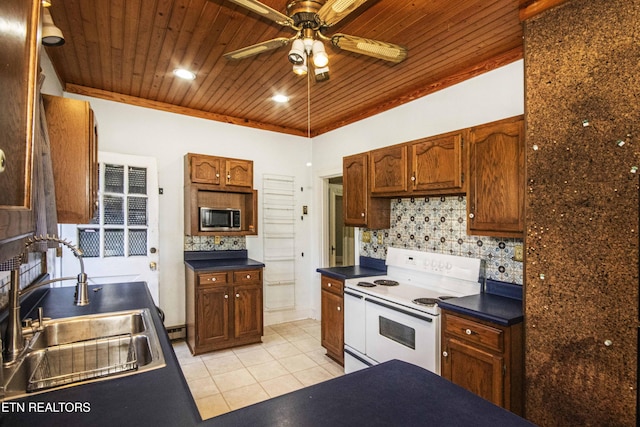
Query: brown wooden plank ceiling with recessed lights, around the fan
pixel 126 50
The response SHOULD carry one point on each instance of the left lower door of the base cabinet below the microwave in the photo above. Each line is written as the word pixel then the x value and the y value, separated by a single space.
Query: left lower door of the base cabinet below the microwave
pixel 212 315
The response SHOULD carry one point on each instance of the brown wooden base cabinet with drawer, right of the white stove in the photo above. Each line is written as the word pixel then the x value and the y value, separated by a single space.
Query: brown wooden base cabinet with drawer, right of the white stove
pixel 484 358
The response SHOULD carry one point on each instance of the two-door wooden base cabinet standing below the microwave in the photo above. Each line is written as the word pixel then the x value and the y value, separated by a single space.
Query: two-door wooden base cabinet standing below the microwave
pixel 224 309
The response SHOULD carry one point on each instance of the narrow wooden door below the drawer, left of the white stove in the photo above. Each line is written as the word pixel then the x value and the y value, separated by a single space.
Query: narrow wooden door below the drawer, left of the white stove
pixel 332 325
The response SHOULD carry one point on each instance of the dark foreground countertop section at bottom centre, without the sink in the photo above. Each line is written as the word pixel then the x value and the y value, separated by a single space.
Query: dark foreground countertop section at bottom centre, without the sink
pixel 394 393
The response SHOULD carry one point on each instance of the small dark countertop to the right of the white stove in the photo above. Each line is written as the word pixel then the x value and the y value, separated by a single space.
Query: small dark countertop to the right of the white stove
pixel 499 304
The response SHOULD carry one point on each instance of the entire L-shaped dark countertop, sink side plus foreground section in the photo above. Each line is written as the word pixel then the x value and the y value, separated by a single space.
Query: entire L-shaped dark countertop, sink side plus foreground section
pixel 410 396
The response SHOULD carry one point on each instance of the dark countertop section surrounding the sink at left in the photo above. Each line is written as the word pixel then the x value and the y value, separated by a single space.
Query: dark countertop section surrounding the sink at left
pixel 158 397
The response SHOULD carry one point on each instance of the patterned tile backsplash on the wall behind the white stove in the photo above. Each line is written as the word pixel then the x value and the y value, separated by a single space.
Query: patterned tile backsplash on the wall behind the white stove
pixel 438 224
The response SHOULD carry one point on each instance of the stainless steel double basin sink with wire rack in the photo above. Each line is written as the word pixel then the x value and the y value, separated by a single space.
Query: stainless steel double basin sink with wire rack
pixel 70 351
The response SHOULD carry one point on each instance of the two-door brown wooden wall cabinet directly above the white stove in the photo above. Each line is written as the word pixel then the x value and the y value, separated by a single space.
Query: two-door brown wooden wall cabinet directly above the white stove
pixel 426 166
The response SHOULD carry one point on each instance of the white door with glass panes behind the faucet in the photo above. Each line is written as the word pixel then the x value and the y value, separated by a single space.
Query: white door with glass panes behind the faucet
pixel 121 243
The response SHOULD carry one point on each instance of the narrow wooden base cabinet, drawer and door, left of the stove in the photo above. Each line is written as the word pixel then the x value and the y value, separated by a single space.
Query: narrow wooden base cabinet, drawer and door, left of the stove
pixel 332 323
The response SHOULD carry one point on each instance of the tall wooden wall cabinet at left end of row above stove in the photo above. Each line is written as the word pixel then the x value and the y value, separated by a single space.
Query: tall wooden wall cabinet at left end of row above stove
pixel 360 209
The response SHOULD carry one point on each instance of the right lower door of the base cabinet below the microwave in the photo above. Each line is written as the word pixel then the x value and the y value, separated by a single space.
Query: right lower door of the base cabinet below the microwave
pixel 247 310
